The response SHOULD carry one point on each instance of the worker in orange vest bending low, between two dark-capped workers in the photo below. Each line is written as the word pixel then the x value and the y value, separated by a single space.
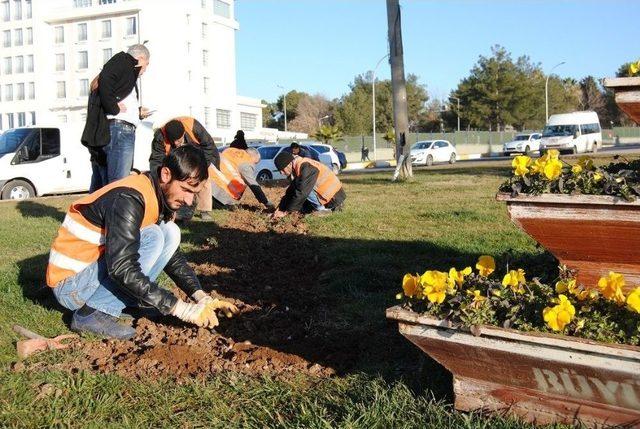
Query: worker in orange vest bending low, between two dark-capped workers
pixel 237 172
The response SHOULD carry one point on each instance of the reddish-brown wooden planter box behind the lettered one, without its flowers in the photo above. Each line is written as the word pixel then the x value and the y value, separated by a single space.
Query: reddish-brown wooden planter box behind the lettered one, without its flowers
pixel 593 234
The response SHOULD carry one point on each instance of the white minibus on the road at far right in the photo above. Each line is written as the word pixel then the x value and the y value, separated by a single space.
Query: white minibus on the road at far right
pixel 576 132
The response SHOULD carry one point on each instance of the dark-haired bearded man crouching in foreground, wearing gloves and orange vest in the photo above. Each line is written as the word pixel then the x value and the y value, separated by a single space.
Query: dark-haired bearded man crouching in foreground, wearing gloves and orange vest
pixel 114 243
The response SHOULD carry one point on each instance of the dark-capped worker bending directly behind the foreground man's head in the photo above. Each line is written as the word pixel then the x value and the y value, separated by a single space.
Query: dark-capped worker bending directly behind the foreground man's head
pixel 175 133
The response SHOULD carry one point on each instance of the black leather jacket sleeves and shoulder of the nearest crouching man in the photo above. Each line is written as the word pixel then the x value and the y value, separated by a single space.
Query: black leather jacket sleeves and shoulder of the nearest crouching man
pixel 120 211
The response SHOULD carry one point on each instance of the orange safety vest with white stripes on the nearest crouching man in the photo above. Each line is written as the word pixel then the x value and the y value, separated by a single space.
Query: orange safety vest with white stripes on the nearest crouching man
pixel 80 243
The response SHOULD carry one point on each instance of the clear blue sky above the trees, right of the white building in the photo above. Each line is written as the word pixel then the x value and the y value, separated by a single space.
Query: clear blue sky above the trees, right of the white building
pixel 319 46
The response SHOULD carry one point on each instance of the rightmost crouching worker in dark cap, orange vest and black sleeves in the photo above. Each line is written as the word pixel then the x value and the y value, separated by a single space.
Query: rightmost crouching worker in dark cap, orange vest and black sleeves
pixel 314 187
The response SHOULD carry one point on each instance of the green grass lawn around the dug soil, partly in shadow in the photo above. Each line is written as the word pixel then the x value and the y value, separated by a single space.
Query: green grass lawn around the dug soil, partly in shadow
pixel 441 218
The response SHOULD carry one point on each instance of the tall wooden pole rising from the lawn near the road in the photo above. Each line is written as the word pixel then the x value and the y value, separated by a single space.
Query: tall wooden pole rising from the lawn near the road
pixel 400 110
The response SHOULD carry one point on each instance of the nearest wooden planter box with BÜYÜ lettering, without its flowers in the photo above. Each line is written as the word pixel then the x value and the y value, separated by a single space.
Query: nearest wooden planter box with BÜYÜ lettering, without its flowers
pixel 542 378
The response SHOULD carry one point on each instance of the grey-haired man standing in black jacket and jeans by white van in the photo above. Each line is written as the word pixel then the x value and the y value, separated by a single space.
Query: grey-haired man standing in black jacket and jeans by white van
pixel 113 115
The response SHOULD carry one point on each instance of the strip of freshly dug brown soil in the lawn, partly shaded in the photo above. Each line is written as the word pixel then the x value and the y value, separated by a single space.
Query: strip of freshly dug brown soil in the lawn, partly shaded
pixel 270 270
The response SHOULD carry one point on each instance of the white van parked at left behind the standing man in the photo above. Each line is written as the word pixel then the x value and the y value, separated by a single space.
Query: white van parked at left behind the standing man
pixel 41 160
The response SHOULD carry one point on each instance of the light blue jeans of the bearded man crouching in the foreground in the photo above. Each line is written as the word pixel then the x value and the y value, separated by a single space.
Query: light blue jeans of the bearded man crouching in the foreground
pixel 93 286
